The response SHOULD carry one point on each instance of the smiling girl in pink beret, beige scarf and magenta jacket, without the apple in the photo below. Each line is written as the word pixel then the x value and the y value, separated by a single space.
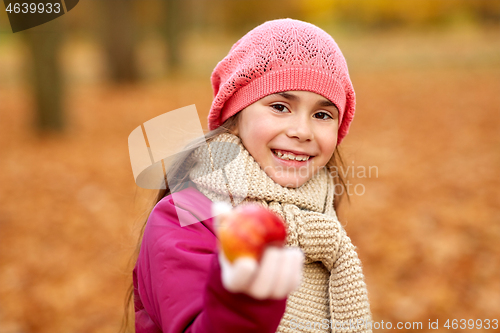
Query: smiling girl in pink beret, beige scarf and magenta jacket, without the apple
pixel 283 102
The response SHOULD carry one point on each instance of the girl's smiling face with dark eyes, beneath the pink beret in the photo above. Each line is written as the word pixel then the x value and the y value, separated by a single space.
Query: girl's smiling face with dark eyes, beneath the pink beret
pixel 299 122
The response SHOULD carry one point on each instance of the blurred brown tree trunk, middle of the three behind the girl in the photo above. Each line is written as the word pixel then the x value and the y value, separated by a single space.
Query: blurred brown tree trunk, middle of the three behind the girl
pixel 119 40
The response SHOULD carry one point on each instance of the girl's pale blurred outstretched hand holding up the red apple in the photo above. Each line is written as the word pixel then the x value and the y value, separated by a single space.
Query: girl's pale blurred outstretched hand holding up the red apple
pixel 277 275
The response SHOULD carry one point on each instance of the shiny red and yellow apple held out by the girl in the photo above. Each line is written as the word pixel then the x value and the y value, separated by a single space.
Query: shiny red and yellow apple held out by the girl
pixel 247 229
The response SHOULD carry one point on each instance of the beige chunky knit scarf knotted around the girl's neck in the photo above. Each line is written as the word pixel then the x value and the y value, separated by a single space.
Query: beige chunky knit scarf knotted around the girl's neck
pixel 333 295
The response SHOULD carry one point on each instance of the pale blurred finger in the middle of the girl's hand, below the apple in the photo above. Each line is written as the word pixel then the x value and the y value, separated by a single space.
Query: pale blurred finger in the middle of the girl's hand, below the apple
pixel 261 286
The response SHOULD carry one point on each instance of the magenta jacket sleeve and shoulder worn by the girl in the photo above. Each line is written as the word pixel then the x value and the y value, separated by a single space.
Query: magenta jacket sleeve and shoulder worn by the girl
pixel 177 278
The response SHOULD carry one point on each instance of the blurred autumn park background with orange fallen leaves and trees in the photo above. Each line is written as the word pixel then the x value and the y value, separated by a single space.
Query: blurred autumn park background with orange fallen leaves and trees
pixel 427 79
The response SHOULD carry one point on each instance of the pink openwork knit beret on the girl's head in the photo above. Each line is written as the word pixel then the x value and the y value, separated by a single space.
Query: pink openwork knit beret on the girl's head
pixel 282 55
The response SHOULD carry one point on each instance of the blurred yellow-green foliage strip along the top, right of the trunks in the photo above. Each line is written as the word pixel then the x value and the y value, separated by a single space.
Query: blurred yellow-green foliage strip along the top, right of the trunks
pixel 242 15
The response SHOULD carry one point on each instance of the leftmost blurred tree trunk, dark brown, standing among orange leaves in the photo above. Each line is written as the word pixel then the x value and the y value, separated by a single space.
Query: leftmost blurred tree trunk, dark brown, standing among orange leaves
pixel 46 80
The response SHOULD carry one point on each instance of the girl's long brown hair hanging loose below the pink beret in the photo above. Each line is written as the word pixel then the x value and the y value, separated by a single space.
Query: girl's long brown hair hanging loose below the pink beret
pixel 178 176
